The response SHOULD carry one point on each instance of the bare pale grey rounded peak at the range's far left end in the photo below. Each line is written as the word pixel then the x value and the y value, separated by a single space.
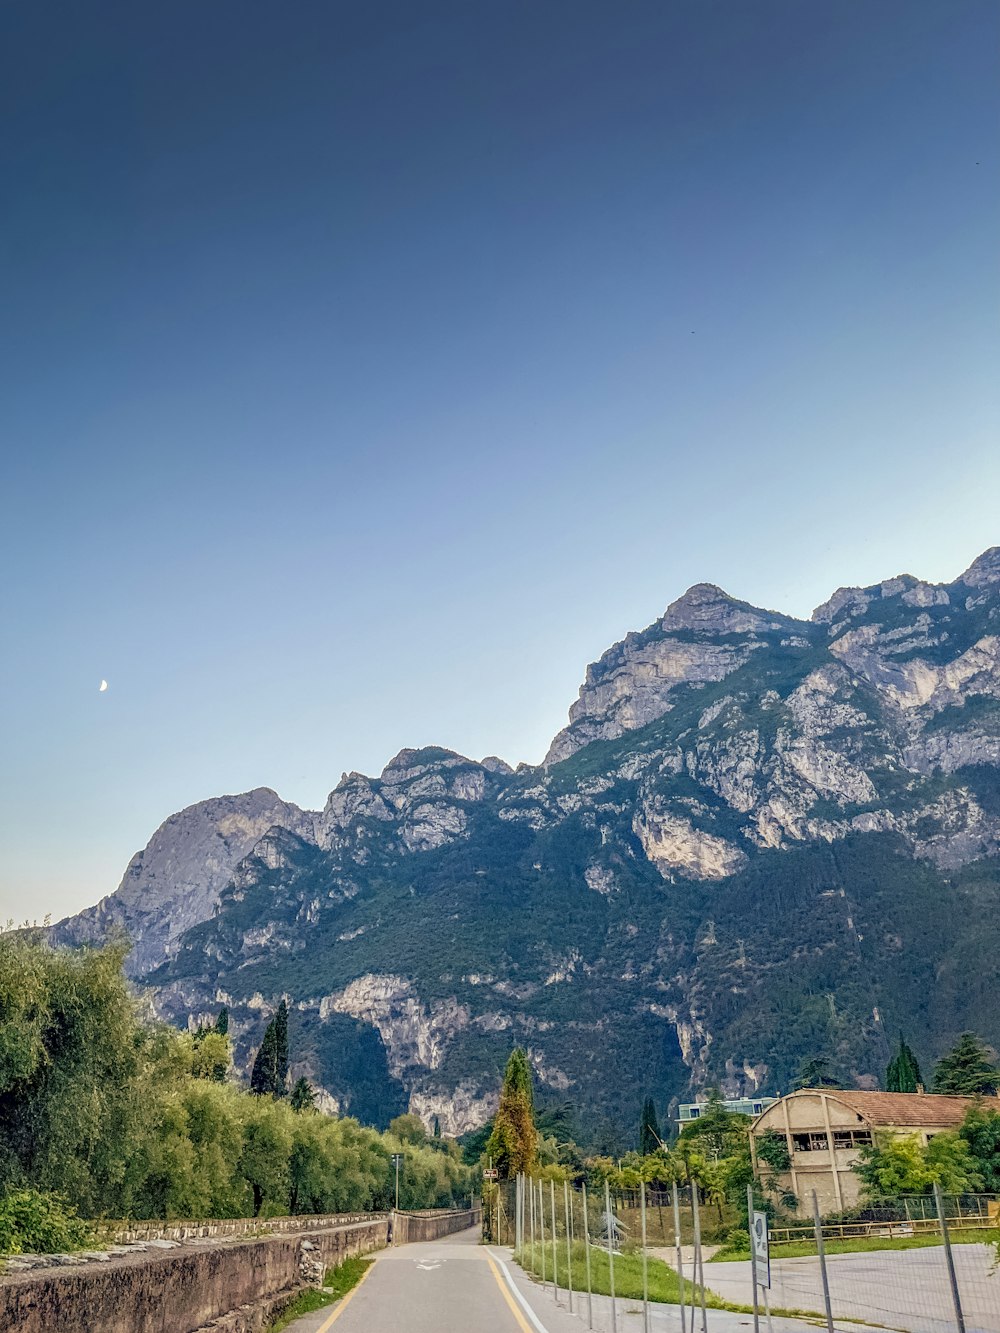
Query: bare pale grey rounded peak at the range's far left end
pixel 175 882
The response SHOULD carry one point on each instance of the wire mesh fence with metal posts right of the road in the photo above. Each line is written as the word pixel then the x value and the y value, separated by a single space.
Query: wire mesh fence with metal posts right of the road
pixel 642 1262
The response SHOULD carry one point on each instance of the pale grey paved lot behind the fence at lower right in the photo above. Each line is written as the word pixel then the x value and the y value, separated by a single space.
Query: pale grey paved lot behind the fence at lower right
pixel 902 1290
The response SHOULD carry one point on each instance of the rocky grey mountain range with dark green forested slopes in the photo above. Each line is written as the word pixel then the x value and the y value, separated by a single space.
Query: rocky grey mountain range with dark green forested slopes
pixel 757 839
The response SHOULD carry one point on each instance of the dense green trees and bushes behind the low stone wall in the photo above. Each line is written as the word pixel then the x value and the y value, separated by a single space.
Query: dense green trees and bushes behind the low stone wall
pixel 106 1115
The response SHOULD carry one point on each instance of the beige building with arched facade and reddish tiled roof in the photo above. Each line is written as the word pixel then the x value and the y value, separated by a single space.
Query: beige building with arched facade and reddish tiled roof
pixel 826 1130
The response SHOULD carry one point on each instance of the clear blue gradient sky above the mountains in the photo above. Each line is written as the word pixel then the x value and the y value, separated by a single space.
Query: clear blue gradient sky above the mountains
pixel 369 370
